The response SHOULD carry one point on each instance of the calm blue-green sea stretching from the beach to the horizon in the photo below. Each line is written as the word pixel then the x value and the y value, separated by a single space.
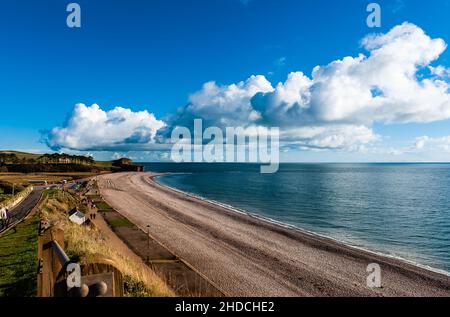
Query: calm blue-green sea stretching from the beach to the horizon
pixel 398 209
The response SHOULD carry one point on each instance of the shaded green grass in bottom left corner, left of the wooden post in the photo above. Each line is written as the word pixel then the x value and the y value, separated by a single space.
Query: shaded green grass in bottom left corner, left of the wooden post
pixel 18 259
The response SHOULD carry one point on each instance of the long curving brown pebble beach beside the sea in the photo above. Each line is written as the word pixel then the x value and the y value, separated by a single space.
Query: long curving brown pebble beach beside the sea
pixel 246 256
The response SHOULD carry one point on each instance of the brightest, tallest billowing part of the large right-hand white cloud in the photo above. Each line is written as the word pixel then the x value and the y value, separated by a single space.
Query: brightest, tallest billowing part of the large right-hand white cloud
pixel 383 87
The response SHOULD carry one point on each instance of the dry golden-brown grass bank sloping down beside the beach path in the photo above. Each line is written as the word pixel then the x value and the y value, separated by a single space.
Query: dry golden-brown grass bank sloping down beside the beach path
pixel 86 242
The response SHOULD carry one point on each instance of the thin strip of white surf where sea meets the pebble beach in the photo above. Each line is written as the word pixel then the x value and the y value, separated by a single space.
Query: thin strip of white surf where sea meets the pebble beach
pixel 296 228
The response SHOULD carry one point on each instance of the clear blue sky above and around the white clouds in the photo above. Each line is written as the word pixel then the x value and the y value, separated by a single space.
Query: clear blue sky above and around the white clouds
pixel 152 55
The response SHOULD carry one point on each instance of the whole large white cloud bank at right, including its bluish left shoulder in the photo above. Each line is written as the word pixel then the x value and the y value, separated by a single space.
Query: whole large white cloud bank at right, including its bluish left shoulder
pixel 337 106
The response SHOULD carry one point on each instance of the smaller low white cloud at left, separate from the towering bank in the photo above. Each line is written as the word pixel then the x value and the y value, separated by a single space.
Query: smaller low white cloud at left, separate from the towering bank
pixel 93 129
